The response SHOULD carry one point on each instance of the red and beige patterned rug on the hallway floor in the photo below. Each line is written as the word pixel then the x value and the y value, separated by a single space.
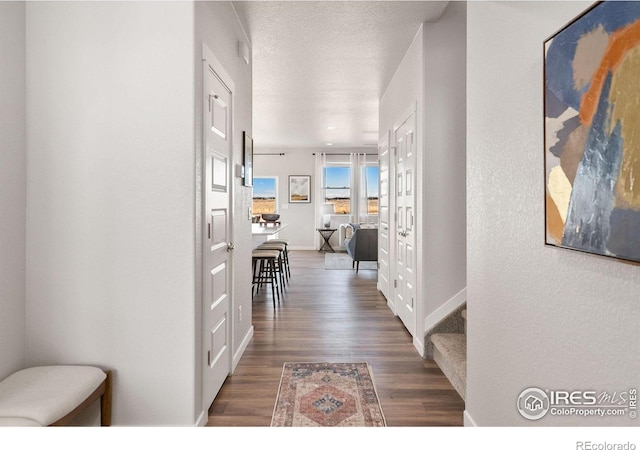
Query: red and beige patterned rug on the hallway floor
pixel 327 395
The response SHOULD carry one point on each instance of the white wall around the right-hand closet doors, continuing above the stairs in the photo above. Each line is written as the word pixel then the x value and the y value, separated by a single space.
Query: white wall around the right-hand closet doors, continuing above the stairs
pixel 432 76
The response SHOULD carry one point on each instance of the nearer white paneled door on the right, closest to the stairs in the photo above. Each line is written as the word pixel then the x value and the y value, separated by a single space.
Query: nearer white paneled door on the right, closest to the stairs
pixel 405 157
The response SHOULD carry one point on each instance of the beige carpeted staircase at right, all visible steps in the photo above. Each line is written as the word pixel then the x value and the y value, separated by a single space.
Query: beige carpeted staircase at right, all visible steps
pixel 446 344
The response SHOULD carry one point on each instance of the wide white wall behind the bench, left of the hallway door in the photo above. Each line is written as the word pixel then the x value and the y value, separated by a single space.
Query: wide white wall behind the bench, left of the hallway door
pixel 110 199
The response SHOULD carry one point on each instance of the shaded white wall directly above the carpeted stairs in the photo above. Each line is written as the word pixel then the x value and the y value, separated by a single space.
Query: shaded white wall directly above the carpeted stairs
pixel 443 186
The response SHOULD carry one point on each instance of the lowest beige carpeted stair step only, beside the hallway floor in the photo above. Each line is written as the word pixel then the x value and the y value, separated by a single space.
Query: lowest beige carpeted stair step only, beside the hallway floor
pixel 450 352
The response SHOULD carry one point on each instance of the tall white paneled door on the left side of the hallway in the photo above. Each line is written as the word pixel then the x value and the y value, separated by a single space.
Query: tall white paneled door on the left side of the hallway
pixel 217 255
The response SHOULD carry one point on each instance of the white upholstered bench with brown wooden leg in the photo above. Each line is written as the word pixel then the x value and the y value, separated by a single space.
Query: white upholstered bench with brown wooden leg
pixel 53 395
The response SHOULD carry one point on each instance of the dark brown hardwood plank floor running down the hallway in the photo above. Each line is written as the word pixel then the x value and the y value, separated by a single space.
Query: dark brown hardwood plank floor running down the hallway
pixel 334 316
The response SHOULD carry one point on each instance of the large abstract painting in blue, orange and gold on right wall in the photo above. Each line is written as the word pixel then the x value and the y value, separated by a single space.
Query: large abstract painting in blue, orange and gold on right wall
pixel 591 132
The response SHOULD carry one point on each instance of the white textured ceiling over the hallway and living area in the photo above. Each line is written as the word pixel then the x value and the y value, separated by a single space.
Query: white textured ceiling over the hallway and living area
pixel 323 64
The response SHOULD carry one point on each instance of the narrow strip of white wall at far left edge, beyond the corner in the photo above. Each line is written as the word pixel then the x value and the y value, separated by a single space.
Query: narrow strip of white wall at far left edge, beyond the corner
pixel 12 186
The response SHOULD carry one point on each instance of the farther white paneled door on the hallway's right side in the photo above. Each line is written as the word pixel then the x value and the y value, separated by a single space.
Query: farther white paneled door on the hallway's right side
pixel 384 215
